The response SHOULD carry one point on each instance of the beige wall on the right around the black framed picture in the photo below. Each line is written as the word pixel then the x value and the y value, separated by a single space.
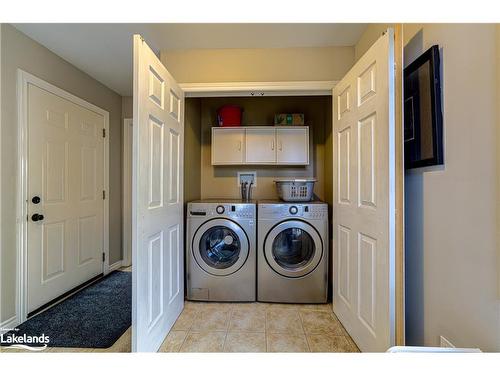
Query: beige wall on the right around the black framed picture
pixel 451 244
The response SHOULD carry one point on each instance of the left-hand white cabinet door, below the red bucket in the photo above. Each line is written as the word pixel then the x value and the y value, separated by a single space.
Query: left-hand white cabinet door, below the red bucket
pixel 227 146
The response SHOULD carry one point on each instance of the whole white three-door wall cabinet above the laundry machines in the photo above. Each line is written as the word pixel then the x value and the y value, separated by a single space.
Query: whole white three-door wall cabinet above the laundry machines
pixel 260 145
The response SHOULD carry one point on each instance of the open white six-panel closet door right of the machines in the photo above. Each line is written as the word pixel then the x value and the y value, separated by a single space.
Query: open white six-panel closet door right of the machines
pixel 364 198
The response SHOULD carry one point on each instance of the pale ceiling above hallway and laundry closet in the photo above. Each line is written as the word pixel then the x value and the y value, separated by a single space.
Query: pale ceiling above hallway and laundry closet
pixel 104 51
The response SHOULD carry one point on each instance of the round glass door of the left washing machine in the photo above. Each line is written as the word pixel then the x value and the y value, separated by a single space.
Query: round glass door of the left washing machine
pixel 220 247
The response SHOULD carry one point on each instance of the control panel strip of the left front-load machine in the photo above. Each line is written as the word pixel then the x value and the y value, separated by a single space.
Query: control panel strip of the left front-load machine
pixel 231 210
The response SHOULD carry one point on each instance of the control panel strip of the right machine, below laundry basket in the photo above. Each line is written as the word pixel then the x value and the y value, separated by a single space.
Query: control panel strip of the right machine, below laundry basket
pixel 311 211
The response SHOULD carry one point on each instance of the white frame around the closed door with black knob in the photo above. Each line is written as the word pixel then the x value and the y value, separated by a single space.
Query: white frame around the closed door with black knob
pixel 23 80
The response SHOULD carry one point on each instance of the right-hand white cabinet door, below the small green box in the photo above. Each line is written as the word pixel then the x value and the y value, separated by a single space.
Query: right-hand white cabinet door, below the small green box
pixel 293 146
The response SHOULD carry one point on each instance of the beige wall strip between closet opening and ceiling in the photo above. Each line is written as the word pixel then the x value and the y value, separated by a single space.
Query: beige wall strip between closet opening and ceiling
pixel 271 64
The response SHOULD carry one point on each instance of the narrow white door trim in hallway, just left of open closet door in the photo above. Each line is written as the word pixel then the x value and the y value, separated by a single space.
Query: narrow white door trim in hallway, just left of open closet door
pixel 127 192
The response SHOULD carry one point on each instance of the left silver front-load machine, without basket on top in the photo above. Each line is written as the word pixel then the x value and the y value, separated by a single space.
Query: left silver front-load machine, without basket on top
pixel 221 251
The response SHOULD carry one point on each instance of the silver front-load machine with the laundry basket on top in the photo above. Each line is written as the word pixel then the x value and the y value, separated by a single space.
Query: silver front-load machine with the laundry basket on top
pixel 292 259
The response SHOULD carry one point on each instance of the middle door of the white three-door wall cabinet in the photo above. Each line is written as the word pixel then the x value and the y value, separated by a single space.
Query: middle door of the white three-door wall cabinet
pixel 260 146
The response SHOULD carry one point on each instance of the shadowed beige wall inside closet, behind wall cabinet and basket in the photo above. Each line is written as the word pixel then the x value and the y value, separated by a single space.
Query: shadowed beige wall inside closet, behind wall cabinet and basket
pixel 220 181
